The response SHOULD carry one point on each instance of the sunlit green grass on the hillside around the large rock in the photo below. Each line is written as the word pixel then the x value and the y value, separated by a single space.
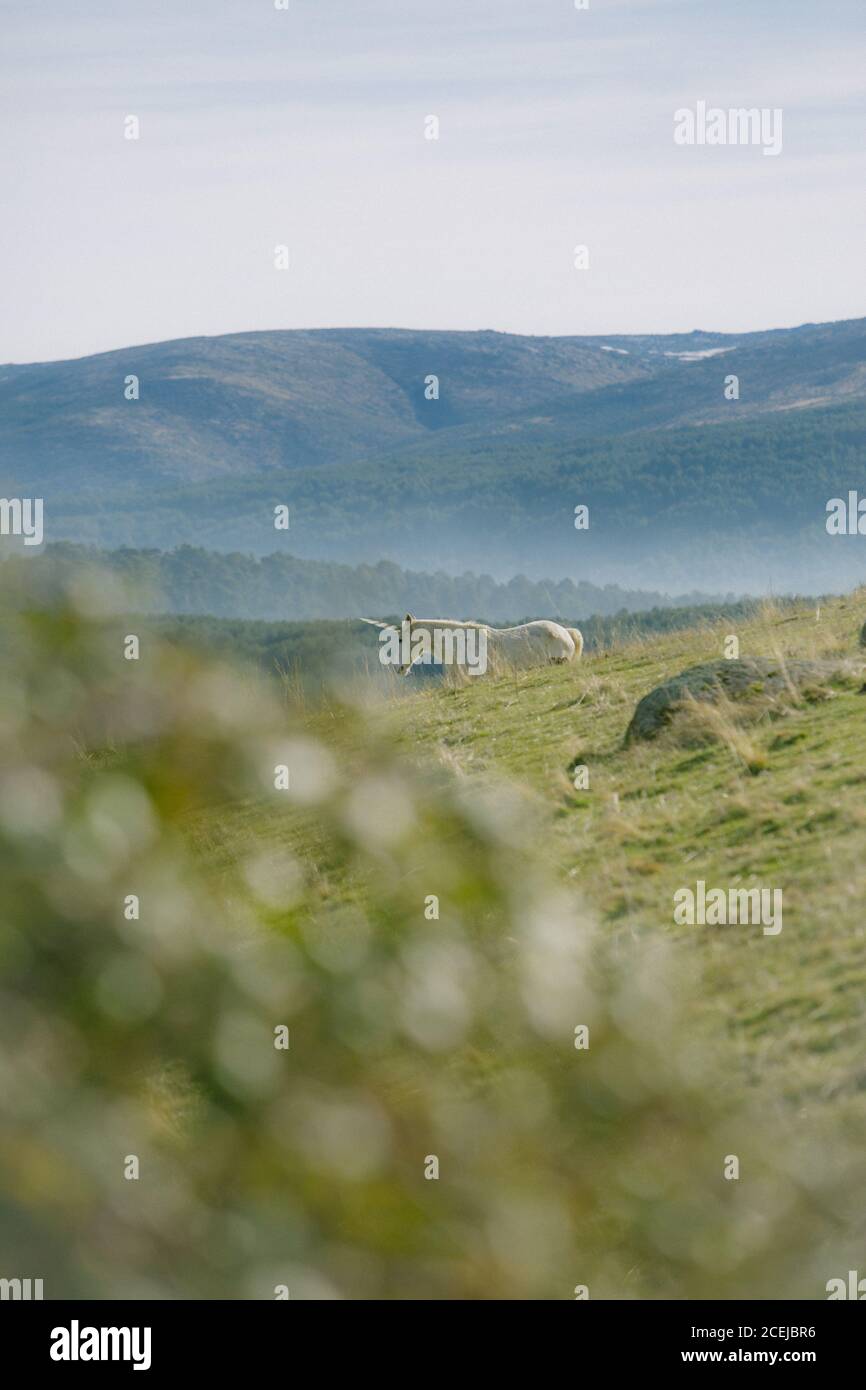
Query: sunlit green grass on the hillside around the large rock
pixel 783 1014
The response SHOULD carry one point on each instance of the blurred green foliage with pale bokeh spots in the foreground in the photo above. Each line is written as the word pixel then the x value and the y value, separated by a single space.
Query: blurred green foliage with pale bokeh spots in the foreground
pixel 411 1038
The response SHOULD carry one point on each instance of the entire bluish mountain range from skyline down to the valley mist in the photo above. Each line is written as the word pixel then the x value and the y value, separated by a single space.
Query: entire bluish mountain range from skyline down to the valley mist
pixel 336 425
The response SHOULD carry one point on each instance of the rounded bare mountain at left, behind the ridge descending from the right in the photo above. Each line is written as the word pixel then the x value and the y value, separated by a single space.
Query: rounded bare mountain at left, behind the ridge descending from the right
pixel 284 401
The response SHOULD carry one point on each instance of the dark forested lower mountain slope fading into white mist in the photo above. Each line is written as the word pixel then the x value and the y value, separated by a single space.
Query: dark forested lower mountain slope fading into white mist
pixel 737 508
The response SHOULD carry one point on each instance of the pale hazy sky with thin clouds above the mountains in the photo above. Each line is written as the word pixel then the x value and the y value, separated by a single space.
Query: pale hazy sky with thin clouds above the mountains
pixel 262 127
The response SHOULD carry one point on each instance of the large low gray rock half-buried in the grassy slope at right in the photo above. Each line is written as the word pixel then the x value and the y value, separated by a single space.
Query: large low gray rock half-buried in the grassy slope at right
pixel 736 680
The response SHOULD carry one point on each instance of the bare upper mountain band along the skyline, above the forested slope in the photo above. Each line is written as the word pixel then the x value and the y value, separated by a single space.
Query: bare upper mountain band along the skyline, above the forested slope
pixel 247 404
